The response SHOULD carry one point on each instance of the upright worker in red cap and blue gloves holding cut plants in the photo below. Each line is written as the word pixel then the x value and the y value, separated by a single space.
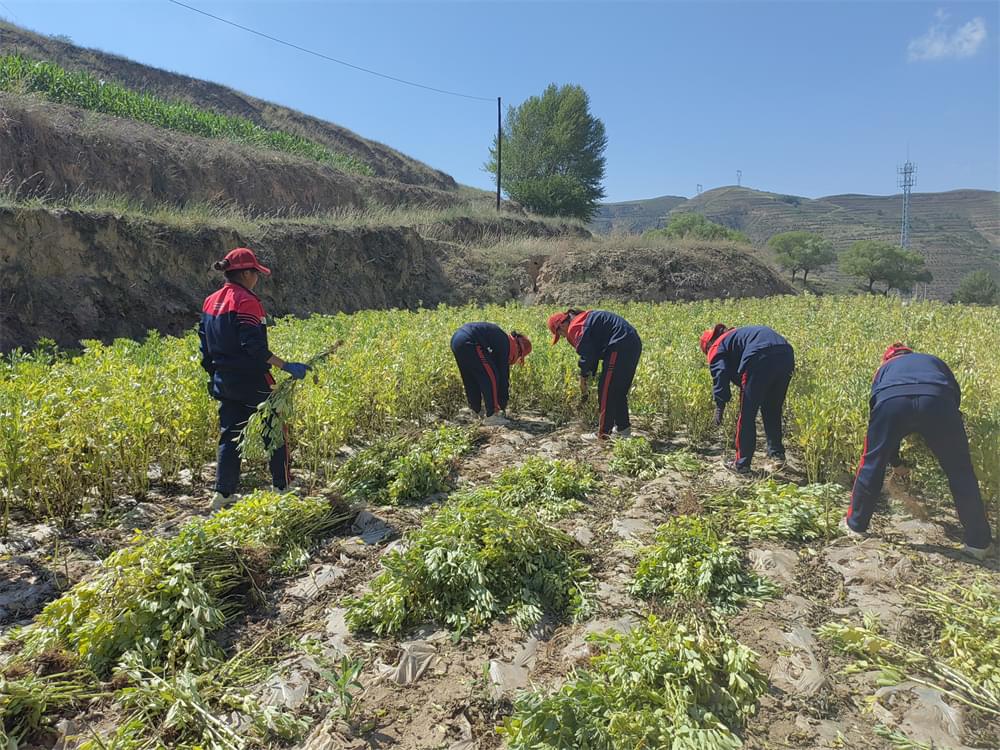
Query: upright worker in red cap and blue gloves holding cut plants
pixel 234 352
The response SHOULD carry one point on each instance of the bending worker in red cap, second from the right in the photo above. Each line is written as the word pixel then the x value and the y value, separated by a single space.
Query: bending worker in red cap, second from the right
pixel 760 361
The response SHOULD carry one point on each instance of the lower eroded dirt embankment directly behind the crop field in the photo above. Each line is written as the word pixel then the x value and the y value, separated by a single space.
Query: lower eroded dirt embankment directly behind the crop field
pixel 69 275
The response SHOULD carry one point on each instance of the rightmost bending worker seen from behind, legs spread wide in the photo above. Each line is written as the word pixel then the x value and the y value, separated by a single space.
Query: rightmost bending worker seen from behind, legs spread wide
pixel 915 392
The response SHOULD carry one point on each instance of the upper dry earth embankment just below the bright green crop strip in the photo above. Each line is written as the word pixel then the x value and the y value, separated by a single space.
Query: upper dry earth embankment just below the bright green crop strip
pixel 56 150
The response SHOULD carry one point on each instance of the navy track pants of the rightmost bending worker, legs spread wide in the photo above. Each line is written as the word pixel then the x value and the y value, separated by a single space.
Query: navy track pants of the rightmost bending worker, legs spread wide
pixel 938 421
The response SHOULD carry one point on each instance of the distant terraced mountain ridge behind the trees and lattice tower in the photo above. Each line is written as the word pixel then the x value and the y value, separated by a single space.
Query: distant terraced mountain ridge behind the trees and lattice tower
pixel 956 231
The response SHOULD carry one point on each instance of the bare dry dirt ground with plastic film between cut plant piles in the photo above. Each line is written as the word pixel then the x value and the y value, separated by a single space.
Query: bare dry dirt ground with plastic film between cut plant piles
pixel 425 690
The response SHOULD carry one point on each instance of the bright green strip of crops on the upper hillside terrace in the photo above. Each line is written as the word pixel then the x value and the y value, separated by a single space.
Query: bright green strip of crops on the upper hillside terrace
pixel 22 75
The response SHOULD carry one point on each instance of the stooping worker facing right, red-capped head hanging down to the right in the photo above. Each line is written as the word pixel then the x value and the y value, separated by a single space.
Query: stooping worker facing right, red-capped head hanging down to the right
pixel 484 353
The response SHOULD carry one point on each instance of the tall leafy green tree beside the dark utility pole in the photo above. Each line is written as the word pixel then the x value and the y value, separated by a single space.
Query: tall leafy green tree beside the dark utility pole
pixel 553 154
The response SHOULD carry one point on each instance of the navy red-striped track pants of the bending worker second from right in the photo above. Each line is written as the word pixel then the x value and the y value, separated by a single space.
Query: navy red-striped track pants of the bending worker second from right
pixel 763 389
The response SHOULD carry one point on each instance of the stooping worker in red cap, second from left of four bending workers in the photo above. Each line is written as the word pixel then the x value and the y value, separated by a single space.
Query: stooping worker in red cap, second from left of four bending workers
pixel 601 336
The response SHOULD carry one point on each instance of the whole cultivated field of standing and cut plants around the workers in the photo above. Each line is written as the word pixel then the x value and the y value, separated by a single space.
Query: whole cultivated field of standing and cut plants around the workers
pixel 433 581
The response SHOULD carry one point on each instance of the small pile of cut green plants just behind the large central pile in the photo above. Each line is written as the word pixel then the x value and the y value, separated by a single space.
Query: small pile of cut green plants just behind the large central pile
pixel 551 488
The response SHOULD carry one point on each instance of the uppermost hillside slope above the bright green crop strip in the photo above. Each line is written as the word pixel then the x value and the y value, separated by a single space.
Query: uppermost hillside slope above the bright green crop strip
pixel 384 161
